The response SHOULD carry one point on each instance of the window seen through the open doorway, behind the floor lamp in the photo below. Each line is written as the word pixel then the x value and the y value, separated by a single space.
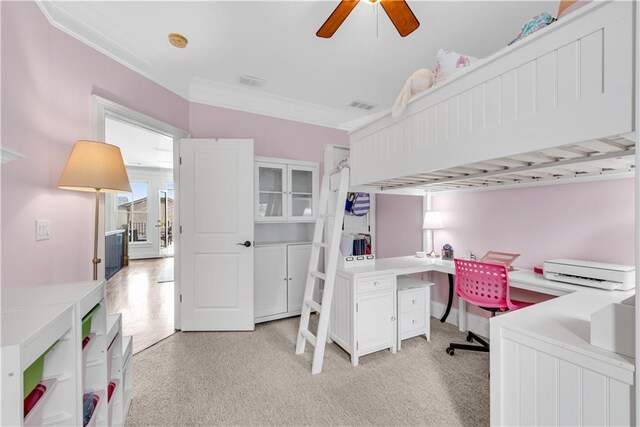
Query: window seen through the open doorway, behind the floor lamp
pixel 132 210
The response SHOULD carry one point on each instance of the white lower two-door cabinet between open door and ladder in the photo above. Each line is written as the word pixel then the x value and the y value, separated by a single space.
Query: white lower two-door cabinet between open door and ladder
pixel 280 273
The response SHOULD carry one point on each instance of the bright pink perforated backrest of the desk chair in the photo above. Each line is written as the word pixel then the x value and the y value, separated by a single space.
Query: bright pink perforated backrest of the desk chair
pixel 483 284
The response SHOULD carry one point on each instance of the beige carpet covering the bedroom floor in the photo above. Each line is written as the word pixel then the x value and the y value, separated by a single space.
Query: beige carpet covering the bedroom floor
pixel 254 378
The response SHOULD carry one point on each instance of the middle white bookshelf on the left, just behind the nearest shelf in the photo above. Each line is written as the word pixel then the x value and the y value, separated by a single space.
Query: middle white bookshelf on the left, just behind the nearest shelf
pixel 90 362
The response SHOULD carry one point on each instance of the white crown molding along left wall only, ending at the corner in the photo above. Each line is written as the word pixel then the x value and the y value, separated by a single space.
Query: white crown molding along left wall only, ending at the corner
pixel 68 24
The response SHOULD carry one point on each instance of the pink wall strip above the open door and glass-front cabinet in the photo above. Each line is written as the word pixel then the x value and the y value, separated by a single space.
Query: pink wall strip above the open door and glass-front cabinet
pixel 272 137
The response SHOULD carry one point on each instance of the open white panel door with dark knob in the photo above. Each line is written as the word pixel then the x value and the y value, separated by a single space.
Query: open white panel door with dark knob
pixel 216 216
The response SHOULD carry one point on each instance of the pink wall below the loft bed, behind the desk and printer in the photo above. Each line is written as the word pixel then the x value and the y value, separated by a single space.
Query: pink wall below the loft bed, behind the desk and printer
pixel 592 221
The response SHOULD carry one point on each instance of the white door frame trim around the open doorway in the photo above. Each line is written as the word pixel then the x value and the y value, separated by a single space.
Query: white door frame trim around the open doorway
pixel 102 108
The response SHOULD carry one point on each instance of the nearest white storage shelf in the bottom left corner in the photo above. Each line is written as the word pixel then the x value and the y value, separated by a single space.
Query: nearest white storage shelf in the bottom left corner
pixel 26 334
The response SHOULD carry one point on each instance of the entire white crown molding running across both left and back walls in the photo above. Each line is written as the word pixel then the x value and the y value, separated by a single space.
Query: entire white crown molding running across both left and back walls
pixel 200 90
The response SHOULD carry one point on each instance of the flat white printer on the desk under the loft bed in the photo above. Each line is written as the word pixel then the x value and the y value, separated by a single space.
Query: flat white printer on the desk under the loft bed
pixel 593 274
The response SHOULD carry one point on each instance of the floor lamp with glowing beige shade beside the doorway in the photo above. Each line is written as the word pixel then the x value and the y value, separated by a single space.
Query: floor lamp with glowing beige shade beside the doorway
pixel 96 167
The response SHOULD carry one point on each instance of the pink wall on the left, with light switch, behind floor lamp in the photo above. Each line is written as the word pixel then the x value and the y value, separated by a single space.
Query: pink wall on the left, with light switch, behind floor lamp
pixel 48 78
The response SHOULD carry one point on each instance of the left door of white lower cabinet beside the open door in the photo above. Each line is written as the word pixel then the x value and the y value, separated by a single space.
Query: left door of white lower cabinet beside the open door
pixel 270 293
